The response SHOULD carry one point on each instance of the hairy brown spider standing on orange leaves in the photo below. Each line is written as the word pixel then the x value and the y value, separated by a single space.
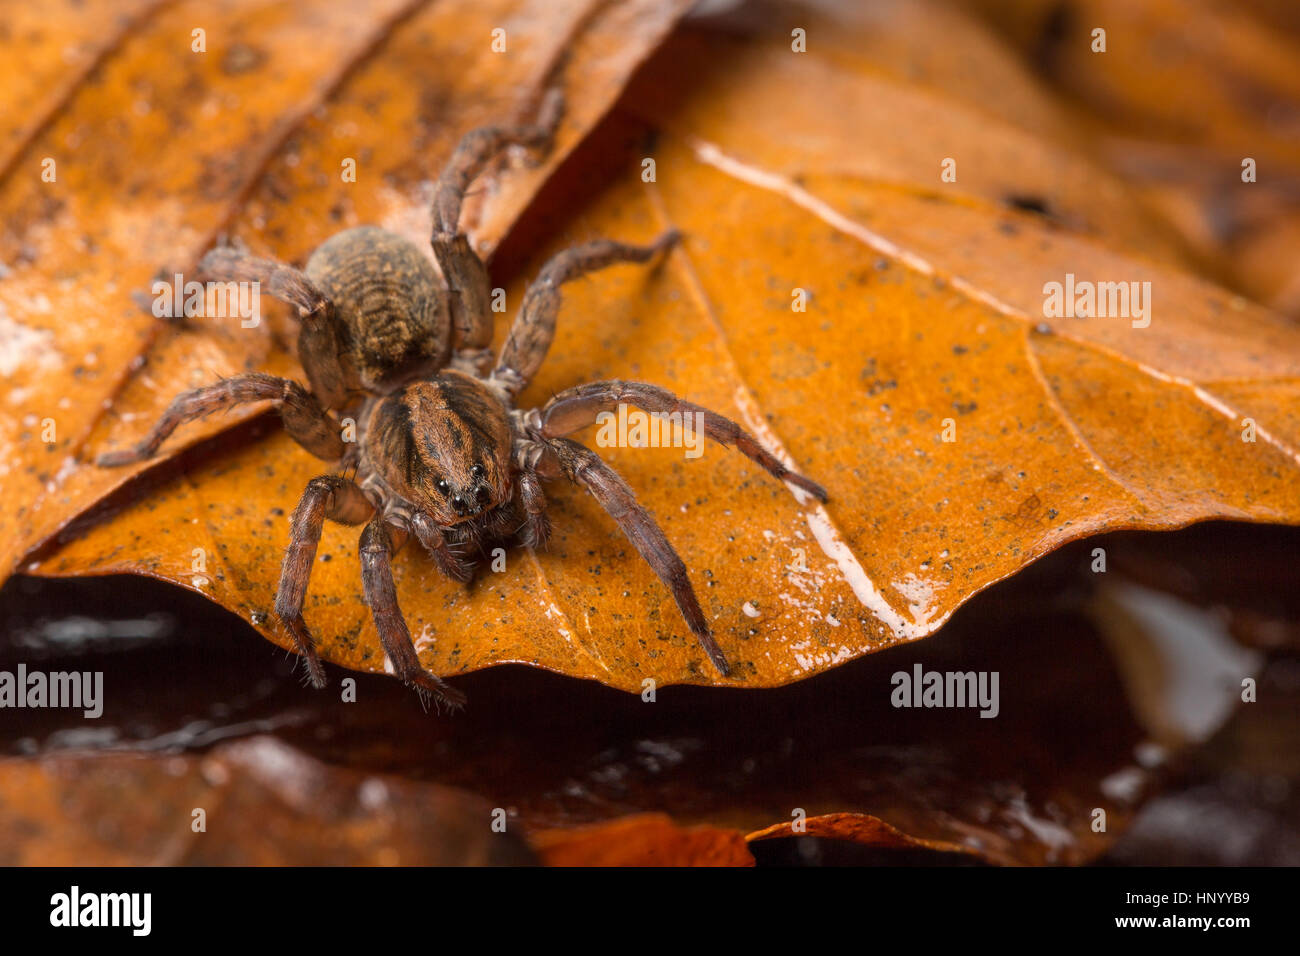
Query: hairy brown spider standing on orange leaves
pixel 441 452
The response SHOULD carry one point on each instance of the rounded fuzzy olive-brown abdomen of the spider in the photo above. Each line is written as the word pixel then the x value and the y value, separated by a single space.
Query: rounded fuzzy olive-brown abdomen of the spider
pixel 391 308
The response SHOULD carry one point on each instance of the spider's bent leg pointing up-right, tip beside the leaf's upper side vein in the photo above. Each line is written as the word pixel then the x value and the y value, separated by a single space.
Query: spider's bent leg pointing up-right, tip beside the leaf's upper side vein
pixel 531 336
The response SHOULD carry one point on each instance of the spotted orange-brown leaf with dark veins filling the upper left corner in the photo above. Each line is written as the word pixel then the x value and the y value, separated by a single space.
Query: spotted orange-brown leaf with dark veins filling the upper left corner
pixel 159 150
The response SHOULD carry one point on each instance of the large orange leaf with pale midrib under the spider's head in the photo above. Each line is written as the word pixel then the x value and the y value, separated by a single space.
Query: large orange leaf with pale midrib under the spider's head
pixel 925 319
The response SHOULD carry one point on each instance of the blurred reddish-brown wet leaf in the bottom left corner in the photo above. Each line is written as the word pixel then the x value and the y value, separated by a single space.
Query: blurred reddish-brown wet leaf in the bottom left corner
pixel 252 803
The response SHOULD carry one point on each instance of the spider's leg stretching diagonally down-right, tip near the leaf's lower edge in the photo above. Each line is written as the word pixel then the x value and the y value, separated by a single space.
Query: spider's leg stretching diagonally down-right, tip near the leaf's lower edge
pixel 583 466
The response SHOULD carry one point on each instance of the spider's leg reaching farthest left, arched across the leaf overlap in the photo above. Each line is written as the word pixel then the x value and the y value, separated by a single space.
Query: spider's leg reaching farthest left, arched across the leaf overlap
pixel 306 422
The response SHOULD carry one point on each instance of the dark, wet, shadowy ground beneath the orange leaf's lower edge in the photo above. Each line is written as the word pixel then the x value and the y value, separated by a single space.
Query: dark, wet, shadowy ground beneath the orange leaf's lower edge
pixel 184 677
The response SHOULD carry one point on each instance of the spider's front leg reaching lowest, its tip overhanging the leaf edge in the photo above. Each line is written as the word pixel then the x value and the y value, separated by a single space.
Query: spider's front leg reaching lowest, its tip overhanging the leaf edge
pixel 380 542
